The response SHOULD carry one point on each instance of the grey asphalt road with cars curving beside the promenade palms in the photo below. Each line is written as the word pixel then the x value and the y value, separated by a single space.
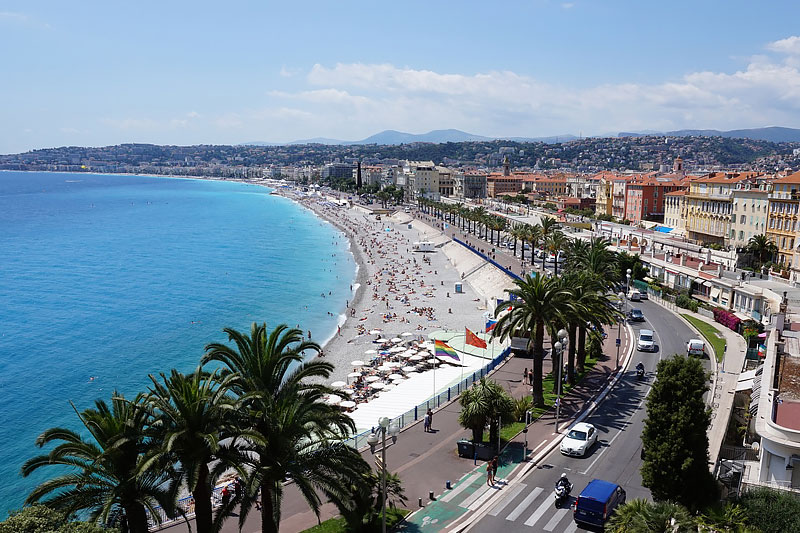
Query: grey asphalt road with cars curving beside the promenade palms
pixel 529 505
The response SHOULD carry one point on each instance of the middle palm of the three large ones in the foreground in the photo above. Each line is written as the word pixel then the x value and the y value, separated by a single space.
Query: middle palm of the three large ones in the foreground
pixel 192 414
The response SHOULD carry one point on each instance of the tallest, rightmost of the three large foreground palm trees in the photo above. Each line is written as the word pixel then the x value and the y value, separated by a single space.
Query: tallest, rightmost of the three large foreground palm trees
pixel 294 434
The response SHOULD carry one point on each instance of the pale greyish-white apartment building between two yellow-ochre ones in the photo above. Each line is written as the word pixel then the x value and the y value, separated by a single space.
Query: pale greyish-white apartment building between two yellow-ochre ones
pixel 750 206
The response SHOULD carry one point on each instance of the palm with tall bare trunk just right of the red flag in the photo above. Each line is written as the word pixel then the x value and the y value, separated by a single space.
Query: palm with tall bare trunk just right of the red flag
pixel 536 302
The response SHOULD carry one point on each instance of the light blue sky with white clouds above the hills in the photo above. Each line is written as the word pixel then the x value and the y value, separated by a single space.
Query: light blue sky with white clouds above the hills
pixel 93 73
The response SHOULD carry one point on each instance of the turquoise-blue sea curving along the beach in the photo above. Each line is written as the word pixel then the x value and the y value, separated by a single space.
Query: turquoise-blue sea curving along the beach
pixel 106 279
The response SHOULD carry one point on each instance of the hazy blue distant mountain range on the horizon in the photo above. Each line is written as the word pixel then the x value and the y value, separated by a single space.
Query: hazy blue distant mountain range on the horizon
pixel 392 137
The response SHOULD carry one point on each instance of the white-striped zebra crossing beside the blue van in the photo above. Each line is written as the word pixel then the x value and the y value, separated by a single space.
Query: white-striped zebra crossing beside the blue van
pixel 530 506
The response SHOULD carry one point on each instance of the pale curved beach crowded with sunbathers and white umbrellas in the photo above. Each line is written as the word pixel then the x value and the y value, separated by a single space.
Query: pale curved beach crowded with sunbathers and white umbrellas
pixel 405 299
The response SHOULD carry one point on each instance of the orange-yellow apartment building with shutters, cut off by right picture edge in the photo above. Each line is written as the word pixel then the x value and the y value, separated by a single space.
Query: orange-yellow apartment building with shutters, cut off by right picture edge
pixel 784 203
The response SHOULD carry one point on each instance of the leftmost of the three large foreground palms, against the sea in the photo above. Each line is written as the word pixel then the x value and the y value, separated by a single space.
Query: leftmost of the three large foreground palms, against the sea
pixel 105 478
